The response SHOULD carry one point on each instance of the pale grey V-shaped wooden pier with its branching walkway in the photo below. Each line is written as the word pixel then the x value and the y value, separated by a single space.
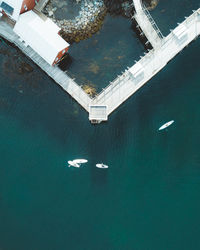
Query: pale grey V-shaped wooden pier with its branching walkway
pixel 119 90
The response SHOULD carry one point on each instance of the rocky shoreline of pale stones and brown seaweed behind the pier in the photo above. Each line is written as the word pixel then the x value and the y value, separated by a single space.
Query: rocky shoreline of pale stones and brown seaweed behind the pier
pixel 90 17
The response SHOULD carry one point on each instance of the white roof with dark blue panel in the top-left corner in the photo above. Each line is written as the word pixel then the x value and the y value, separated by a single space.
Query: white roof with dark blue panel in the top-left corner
pixel 15 5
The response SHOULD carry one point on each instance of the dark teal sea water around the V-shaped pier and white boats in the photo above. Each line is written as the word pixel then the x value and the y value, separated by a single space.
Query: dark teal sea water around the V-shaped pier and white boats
pixel 148 198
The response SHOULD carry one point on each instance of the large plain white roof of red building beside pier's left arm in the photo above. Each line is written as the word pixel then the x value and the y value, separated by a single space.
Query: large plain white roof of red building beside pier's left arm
pixel 41 35
